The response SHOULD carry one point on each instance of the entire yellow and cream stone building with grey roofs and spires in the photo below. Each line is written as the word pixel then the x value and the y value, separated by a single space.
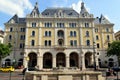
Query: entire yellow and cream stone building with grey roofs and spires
pixel 59 37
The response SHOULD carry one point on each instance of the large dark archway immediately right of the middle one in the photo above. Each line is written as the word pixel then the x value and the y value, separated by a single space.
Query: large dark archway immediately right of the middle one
pixel 73 60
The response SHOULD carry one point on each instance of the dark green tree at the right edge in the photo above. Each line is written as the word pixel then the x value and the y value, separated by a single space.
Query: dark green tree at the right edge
pixel 114 49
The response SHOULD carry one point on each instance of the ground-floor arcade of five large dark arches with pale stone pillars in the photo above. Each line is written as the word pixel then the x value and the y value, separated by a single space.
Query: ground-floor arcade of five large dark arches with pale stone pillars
pixel 49 60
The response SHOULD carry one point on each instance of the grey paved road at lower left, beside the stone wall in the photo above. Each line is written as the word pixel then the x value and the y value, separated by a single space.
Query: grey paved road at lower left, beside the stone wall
pixel 11 76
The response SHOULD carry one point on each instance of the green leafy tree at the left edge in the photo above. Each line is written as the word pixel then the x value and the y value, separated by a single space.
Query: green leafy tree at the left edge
pixel 4 50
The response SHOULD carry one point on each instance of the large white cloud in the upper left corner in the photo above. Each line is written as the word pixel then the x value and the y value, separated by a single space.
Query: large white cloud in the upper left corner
pixel 12 7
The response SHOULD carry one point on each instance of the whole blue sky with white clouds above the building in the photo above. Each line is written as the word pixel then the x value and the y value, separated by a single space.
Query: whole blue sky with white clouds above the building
pixel 108 8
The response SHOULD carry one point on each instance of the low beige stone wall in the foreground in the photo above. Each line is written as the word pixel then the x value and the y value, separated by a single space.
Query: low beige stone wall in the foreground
pixel 63 75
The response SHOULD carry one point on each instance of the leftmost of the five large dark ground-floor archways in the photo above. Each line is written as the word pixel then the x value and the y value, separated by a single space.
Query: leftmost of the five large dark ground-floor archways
pixel 32 60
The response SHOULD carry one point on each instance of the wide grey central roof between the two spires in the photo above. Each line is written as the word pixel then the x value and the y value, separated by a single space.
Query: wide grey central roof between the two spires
pixel 55 11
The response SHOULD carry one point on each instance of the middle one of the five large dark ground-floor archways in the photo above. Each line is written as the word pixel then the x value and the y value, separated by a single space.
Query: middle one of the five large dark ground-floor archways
pixel 60 59
